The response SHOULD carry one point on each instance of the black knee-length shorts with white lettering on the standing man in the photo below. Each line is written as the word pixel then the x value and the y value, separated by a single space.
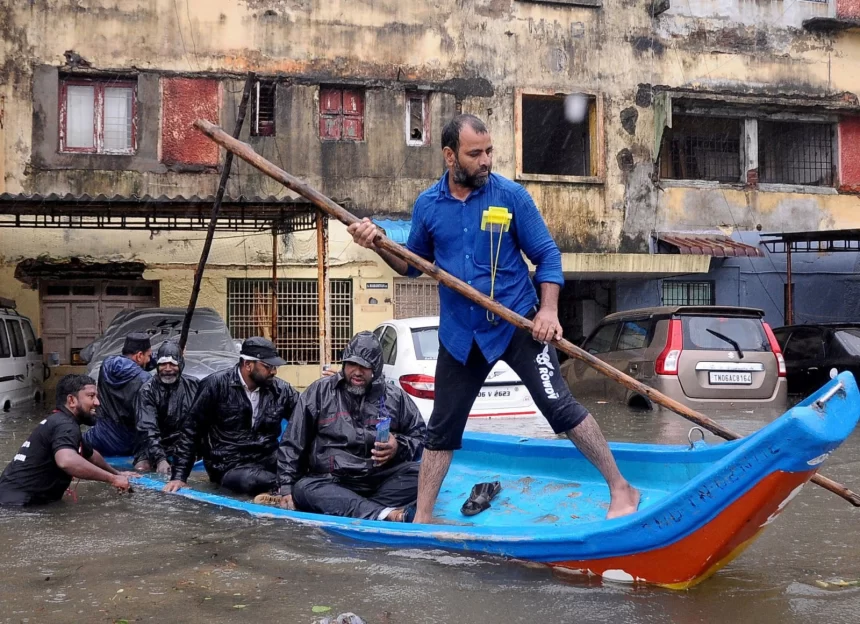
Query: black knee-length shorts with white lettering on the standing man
pixel 457 387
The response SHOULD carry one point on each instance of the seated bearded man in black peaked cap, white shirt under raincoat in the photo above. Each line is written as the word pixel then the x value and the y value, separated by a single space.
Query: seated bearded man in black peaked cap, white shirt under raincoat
pixel 235 423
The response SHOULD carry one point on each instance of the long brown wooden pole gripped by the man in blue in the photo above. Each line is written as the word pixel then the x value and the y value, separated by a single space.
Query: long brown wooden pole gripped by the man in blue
pixel 246 153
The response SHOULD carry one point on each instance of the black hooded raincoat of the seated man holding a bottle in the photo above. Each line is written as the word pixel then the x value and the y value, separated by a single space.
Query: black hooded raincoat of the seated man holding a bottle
pixel 332 431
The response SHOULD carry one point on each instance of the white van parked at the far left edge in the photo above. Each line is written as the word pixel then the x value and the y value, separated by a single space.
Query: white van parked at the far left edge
pixel 22 372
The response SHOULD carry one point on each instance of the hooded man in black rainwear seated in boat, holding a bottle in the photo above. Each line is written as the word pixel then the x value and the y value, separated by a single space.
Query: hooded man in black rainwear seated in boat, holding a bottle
pixel 352 444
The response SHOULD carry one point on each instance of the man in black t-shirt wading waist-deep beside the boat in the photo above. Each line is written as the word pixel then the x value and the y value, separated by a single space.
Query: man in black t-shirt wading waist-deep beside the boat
pixel 56 452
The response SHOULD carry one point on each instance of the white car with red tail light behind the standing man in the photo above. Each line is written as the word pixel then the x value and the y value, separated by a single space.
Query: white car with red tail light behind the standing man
pixel 409 351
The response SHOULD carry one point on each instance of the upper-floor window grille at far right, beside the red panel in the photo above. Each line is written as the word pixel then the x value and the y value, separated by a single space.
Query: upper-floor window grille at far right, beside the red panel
pixel 795 153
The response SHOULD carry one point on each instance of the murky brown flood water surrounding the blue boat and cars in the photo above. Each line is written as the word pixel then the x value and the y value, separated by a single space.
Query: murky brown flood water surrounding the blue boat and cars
pixel 154 557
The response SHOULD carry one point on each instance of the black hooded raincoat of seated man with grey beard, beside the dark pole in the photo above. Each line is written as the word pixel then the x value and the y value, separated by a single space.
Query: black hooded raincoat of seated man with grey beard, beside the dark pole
pixel 161 408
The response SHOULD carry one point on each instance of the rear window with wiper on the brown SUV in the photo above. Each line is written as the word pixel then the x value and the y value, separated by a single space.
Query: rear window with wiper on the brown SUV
pixel 713 333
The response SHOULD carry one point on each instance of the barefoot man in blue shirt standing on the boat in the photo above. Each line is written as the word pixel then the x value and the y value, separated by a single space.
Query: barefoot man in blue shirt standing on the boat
pixel 475 225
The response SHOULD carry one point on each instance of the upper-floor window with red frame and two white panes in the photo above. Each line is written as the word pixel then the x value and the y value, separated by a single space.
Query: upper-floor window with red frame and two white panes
pixel 98 116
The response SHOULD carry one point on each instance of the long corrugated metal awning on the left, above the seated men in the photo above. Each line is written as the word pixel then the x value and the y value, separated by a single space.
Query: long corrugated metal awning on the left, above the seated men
pixel 238 214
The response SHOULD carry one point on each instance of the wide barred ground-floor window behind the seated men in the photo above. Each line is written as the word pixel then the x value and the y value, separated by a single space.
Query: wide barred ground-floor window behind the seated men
pixel 249 304
